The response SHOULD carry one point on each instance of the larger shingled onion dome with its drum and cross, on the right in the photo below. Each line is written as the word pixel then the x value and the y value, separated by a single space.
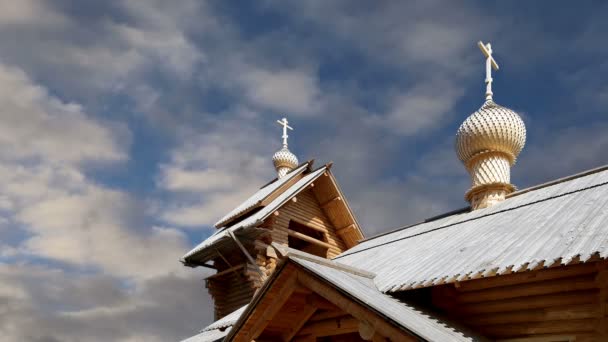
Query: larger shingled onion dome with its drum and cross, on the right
pixel 488 143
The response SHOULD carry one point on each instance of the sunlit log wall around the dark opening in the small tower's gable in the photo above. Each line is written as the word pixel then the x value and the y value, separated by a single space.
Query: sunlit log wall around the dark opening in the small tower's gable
pixel 305 210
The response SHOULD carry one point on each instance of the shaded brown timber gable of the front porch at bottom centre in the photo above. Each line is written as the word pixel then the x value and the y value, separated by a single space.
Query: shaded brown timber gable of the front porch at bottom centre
pixel 297 306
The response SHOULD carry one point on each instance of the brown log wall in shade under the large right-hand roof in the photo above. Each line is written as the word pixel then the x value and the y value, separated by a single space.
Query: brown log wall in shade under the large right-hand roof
pixel 562 301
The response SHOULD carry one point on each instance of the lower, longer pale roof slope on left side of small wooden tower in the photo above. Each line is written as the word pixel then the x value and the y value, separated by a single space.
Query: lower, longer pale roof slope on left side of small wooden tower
pixel 259 216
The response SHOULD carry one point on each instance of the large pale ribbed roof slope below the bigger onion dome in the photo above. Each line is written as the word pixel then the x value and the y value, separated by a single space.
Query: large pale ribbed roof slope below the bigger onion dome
pixel 540 228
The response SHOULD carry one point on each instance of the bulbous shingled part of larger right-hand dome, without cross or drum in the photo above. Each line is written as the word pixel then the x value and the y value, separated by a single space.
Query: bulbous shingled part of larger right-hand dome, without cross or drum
pixel 491 128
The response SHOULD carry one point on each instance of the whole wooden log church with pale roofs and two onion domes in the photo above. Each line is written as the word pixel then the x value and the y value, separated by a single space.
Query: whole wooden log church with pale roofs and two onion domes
pixel 292 263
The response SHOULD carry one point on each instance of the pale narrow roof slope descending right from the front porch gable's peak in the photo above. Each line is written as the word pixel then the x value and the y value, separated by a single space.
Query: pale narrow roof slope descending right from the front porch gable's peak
pixel 421 323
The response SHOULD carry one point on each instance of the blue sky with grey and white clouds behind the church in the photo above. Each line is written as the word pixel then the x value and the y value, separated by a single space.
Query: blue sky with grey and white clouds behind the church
pixel 127 128
